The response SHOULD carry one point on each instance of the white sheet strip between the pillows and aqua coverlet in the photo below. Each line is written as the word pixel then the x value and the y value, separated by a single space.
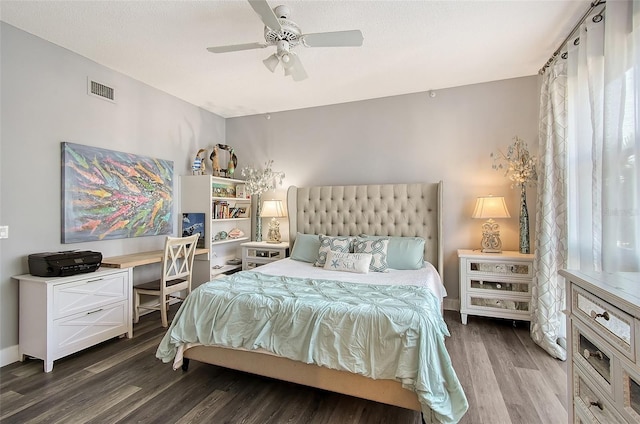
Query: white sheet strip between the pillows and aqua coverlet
pixel 426 276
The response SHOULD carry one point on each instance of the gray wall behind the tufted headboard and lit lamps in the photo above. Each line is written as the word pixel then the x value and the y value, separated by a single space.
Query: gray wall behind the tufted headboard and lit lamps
pixel 410 138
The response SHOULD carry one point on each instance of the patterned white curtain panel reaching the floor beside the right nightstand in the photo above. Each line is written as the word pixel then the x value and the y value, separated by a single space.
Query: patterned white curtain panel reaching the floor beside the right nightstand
pixel 547 323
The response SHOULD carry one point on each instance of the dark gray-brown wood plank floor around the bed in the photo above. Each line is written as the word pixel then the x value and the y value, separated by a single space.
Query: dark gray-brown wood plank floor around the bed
pixel 506 377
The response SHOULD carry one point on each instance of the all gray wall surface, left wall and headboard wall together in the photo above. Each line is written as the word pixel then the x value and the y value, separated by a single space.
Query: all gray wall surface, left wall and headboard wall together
pixel 406 138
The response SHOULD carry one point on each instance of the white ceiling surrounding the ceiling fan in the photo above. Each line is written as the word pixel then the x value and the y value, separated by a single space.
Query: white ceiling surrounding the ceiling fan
pixel 409 46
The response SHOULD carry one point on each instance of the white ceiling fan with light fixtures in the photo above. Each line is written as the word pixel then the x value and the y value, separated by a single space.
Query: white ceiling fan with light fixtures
pixel 285 34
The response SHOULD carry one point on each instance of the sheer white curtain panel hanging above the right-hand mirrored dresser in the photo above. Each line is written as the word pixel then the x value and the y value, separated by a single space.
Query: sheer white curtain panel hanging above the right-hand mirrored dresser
pixel 604 173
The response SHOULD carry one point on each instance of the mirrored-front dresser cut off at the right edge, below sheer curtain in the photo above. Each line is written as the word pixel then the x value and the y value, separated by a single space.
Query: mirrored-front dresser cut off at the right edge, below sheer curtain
pixel 603 356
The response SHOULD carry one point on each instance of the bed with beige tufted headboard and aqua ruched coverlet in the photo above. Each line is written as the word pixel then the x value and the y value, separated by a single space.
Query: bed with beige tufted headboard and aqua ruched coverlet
pixel 415 374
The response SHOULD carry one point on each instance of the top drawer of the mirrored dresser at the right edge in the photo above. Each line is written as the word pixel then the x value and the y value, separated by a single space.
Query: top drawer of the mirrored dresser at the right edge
pixel 613 324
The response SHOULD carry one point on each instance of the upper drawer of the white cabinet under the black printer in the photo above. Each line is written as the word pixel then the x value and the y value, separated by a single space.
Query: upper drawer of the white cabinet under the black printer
pixel 88 294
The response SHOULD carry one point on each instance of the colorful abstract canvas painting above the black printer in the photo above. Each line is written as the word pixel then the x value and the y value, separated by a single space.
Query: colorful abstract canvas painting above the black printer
pixel 111 195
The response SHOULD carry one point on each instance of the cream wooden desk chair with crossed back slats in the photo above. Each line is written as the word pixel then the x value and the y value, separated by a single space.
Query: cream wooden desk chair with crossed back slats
pixel 177 268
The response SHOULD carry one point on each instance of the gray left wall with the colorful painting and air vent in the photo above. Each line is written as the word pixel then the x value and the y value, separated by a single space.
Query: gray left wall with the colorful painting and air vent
pixel 44 102
